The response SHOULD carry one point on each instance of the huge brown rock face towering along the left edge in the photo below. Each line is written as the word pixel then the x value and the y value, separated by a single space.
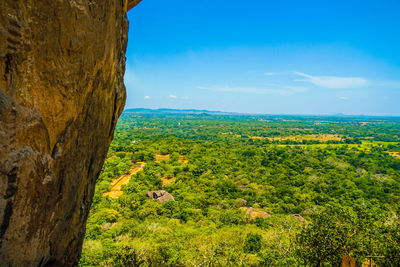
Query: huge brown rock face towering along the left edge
pixel 61 92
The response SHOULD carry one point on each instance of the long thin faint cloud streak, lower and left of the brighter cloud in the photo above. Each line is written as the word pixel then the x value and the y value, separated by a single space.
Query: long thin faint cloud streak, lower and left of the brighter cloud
pixel 282 90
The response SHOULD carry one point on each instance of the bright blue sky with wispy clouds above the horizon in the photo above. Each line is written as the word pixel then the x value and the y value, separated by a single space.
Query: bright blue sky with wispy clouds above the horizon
pixel 258 56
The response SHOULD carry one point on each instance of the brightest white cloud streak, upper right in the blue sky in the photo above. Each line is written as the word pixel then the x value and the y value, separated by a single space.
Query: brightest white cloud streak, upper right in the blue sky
pixel 333 82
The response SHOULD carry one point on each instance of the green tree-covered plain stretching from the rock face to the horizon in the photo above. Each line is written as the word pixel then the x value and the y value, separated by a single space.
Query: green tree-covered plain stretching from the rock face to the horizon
pixel 340 174
